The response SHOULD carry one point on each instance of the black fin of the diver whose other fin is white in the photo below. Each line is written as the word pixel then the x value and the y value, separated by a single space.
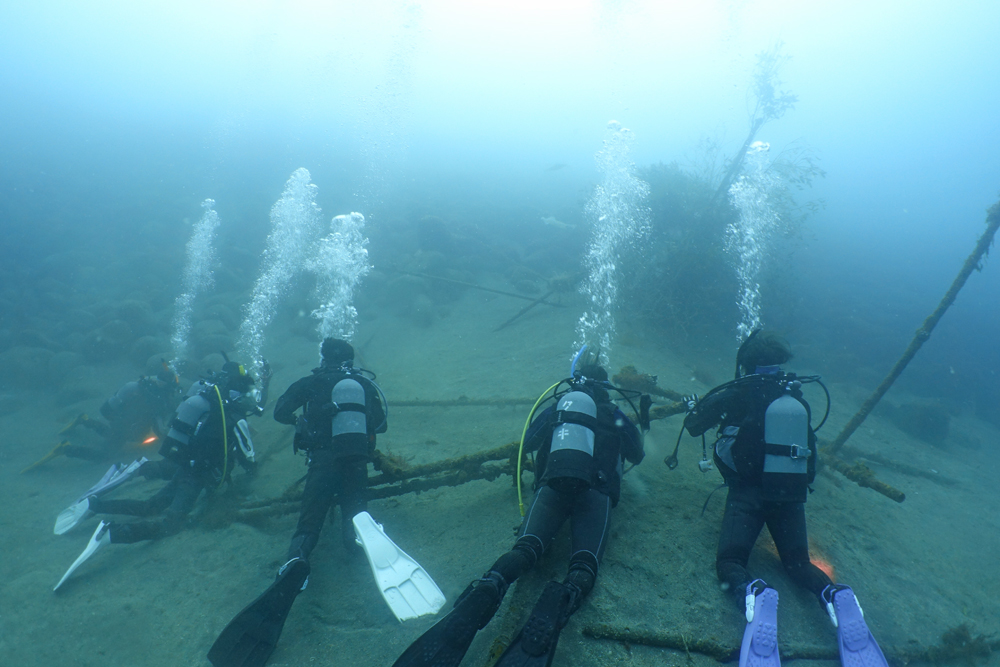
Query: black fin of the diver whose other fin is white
pixel 251 636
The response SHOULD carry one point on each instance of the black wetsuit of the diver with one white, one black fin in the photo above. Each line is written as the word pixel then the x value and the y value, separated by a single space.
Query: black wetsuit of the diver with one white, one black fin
pixel 338 466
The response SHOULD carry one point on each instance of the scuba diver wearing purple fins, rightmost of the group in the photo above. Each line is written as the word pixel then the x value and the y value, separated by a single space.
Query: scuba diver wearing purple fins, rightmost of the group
pixel 766 451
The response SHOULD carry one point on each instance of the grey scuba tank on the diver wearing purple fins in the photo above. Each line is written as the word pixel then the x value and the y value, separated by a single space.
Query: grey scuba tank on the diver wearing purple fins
pixel 786 449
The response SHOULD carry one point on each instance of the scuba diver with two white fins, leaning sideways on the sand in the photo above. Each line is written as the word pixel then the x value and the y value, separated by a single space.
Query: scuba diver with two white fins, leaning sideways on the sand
pixel 206 440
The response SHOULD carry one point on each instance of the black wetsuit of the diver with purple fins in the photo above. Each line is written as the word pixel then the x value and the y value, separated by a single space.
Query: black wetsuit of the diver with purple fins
pixel 738 409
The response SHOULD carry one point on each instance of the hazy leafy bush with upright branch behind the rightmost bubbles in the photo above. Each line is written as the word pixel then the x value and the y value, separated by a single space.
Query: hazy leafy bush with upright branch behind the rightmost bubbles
pixel 686 281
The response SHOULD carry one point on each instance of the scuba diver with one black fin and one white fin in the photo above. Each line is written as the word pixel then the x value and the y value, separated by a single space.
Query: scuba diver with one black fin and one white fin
pixel 342 411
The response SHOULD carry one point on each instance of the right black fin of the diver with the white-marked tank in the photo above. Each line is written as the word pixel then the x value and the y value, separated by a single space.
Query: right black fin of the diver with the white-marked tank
pixel 535 645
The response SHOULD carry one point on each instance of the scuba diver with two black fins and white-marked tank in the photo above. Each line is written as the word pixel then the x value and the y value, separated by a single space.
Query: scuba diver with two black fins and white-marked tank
pixel 581 441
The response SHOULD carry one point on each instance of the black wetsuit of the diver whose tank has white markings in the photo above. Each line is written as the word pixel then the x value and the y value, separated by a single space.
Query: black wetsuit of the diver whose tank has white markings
pixel 588 507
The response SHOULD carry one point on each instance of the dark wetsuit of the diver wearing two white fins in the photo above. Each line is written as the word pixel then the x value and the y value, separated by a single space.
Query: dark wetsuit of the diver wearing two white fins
pixel 200 465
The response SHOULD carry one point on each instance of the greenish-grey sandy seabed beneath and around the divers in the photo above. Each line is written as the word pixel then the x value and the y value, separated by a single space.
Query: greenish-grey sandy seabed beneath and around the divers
pixel 919 568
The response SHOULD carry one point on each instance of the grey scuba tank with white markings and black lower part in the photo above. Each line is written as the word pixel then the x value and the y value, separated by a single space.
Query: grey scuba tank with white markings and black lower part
pixel 570 465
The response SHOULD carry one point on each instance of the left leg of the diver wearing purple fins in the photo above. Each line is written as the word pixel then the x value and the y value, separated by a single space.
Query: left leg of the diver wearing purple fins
pixel 741 524
